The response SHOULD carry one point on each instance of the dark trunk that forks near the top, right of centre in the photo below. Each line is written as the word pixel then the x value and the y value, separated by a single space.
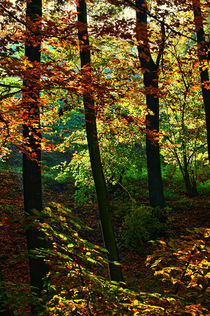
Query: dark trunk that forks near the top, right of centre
pixel 150 69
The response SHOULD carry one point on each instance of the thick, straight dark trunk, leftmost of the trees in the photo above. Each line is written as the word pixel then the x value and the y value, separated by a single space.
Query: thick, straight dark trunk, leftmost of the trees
pixel 31 133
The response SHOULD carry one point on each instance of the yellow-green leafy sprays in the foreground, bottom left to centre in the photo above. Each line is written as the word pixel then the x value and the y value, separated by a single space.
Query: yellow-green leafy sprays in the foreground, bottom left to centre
pixel 76 287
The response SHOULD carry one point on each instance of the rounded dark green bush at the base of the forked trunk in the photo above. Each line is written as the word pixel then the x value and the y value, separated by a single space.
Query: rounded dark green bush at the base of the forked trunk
pixel 140 225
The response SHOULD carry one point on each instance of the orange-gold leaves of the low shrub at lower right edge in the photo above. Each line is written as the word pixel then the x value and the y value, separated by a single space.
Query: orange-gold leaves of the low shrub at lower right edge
pixel 184 262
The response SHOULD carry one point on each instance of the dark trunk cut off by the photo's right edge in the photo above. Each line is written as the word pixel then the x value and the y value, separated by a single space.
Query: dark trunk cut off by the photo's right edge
pixel 203 56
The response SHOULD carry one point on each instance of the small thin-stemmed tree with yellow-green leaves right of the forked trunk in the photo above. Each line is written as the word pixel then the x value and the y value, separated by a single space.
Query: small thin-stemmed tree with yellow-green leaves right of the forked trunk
pixel 182 115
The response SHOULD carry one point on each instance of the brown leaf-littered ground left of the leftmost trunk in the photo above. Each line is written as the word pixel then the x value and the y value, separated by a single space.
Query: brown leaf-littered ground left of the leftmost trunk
pixel 13 260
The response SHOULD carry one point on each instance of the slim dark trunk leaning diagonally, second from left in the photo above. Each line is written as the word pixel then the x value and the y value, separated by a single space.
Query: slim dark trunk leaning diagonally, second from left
pixel 93 146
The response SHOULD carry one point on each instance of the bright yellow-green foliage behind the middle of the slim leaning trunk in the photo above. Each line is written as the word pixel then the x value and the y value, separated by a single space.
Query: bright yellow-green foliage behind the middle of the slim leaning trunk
pixel 122 165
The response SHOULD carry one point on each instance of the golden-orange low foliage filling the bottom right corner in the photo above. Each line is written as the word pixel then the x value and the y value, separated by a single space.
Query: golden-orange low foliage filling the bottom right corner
pixel 183 264
